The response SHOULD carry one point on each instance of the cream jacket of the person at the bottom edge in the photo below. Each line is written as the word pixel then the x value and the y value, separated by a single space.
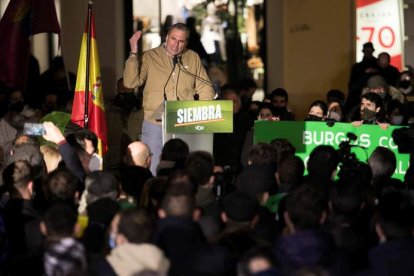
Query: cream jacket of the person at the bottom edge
pixel 129 258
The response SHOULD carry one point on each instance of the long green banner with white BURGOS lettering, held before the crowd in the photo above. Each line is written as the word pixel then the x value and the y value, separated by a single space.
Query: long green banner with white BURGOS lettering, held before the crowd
pixel 305 136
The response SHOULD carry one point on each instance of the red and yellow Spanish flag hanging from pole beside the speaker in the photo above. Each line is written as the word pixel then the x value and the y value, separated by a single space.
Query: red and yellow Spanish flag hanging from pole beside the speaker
pixel 96 110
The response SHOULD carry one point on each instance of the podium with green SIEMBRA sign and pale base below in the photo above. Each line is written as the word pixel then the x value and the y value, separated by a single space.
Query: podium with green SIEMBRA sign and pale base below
pixel 195 122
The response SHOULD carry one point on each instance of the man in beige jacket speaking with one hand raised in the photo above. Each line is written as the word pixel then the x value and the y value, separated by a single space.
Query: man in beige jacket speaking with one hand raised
pixel 169 72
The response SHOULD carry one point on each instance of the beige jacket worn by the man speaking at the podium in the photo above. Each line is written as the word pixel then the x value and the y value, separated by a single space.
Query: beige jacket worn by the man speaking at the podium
pixel 153 69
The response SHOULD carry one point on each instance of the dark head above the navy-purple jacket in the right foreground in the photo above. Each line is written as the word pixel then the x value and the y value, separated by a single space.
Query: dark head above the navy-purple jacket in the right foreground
pixel 306 208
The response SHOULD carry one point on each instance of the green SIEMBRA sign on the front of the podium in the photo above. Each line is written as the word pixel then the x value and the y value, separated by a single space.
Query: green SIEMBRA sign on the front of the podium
pixel 199 116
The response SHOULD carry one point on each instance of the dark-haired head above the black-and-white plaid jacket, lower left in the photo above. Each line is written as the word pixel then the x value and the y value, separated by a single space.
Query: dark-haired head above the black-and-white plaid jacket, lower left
pixel 59 221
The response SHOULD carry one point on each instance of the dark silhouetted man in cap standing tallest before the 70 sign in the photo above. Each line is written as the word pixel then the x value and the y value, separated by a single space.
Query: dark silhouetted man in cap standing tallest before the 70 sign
pixel 360 73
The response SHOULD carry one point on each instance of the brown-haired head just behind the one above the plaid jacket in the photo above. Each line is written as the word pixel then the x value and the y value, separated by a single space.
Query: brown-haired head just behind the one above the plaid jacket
pixel 61 185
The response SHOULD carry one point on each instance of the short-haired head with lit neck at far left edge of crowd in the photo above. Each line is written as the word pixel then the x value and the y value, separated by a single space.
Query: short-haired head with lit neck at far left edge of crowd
pixel 17 178
